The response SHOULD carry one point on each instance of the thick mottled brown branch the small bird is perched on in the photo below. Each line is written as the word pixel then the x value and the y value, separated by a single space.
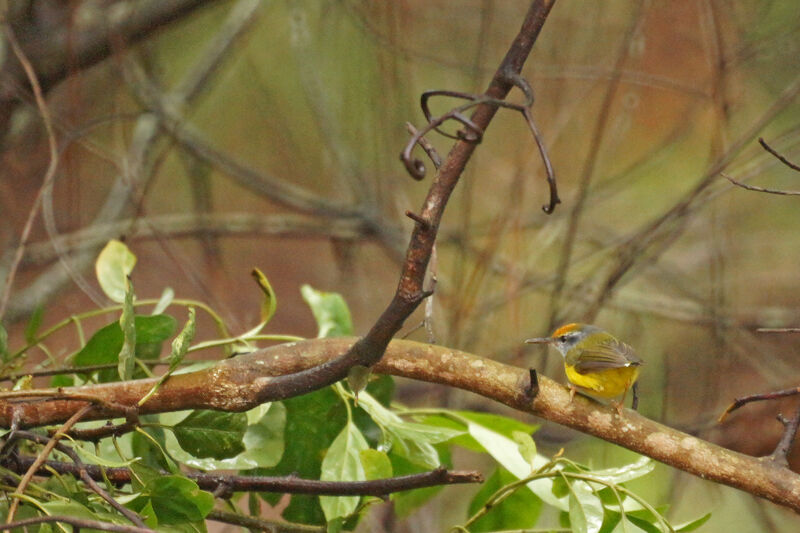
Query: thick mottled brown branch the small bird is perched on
pixel 243 382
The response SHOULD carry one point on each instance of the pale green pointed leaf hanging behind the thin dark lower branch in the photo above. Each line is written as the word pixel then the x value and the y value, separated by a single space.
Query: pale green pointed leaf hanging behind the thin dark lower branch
pixel 342 462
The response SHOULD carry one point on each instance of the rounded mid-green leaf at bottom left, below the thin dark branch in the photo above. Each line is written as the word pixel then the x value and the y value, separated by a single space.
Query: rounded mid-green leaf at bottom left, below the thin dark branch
pixel 177 500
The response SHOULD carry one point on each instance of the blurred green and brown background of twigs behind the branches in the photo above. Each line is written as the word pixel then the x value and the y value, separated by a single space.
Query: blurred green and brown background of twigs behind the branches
pixel 285 157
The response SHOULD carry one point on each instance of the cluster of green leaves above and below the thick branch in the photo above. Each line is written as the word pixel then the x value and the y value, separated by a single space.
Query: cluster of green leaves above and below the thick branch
pixel 325 435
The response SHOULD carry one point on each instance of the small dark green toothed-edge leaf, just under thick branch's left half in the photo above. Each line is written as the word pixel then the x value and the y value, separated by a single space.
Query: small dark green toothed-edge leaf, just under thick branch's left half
pixel 212 433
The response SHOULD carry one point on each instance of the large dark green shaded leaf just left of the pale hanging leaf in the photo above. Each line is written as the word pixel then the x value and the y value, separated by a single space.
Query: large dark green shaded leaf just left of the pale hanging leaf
pixel 312 422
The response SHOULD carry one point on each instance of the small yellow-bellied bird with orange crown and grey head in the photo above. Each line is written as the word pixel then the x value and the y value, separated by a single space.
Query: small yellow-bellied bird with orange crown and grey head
pixel 595 361
